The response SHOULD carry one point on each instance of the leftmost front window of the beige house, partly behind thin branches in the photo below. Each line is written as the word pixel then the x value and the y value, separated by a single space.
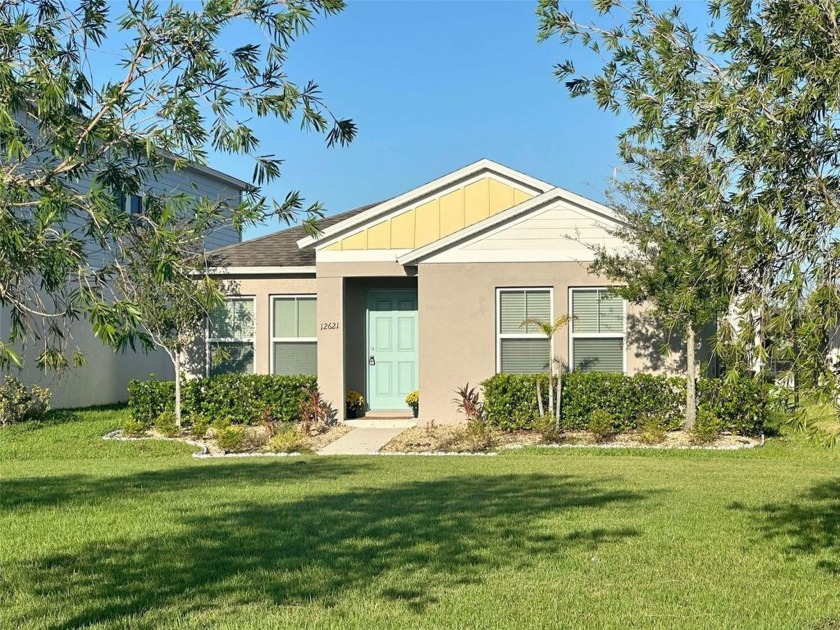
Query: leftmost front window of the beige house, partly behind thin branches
pixel 230 337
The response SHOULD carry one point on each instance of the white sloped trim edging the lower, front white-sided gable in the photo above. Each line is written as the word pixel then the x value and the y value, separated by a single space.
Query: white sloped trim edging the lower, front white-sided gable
pixel 498 222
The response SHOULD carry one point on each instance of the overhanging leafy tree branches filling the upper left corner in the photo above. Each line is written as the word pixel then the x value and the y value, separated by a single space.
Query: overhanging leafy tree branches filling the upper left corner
pixel 74 142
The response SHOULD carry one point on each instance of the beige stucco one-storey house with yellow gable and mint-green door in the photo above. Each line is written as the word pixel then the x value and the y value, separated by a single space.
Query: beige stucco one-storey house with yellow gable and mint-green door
pixel 428 290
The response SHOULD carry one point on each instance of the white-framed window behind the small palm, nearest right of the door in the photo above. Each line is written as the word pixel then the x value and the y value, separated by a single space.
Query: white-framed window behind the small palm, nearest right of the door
pixel 522 349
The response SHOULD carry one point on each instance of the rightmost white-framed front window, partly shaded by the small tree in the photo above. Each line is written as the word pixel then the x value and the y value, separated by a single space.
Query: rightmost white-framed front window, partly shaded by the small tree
pixel 597 331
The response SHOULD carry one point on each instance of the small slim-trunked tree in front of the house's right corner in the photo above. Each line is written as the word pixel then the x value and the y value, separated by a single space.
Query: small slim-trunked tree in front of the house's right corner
pixel 667 206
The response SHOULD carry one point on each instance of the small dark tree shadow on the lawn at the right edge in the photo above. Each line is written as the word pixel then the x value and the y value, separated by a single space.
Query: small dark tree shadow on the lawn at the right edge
pixel 810 525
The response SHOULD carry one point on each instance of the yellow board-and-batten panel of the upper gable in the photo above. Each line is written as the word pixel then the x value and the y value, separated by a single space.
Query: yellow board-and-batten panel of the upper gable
pixel 430 220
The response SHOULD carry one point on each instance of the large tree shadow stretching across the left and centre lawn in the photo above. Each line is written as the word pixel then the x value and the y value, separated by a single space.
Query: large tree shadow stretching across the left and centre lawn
pixel 403 544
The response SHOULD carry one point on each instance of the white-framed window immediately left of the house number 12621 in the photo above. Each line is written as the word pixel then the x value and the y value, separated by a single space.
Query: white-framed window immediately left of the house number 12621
pixel 294 342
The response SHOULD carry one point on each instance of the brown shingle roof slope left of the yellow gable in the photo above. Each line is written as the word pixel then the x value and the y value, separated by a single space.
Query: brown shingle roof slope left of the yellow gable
pixel 279 249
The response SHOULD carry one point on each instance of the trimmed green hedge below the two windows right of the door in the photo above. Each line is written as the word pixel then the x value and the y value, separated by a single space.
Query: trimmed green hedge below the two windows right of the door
pixel 510 400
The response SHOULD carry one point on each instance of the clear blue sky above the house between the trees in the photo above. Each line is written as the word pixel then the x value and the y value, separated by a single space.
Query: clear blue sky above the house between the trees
pixel 433 86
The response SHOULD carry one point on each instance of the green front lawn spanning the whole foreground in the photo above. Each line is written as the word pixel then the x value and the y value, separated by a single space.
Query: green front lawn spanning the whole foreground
pixel 141 535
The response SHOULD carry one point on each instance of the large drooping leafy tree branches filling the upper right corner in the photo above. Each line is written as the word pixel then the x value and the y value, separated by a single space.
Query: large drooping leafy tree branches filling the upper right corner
pixel 756 89
